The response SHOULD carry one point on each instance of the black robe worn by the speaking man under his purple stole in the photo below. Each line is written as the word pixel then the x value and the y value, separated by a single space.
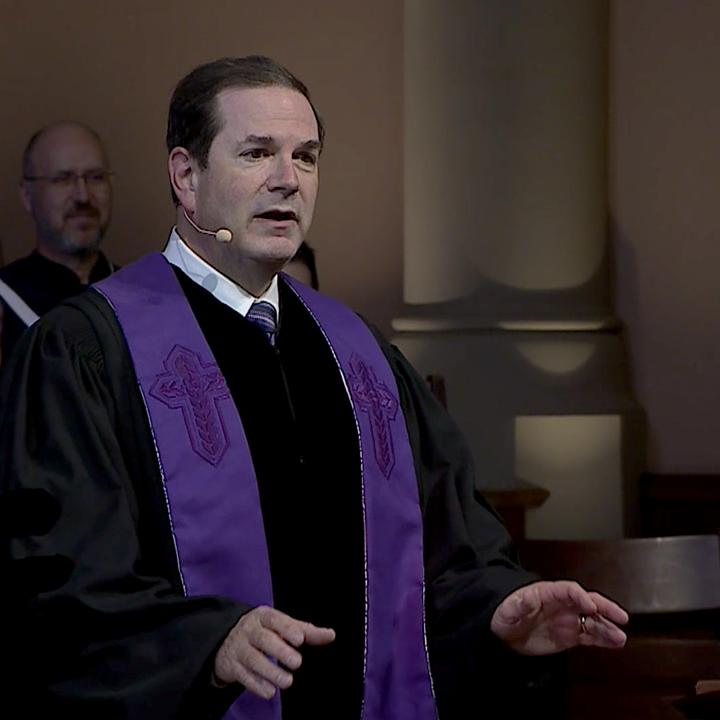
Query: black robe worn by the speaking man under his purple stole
pixel 119 639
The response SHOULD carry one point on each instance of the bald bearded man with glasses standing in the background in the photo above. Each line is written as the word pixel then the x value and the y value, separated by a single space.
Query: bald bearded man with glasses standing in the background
pixel 66 189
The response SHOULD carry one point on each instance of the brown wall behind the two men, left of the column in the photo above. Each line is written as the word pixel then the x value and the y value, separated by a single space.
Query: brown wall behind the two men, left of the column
pixel 113 64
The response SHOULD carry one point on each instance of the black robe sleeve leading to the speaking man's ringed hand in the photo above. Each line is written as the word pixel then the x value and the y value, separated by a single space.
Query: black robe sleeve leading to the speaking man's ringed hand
pixel 471 565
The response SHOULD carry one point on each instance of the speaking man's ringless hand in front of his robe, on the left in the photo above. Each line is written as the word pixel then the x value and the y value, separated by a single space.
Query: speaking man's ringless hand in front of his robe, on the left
pixel 259 637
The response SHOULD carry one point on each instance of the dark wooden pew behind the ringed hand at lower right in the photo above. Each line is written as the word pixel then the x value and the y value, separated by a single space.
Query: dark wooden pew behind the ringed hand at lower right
pixel 671 588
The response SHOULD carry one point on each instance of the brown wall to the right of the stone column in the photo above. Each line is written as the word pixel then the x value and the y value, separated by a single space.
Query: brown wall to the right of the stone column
pixel 665 219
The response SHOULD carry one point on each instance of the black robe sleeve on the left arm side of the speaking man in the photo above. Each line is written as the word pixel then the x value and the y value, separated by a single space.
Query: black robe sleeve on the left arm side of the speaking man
pixel 118 639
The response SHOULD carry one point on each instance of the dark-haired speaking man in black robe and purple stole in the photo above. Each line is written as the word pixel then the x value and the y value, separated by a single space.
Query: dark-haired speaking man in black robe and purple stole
pixel 126 635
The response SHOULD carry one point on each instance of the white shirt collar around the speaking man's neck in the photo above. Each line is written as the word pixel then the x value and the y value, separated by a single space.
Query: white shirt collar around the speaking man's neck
pixel 183 257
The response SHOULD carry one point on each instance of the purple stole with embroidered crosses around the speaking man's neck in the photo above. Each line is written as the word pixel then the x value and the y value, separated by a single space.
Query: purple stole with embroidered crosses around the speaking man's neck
pixel 211 490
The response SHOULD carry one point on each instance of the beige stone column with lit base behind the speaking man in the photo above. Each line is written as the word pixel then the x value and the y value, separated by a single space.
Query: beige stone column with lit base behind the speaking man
pixel 507 279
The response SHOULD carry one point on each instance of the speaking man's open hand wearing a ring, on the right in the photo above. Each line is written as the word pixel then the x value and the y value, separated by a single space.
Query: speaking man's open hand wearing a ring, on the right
pixel 548 617
